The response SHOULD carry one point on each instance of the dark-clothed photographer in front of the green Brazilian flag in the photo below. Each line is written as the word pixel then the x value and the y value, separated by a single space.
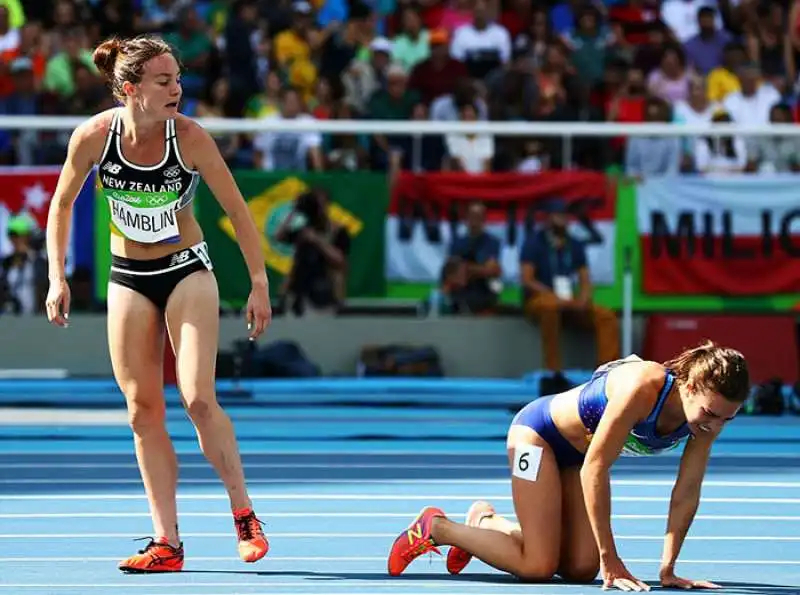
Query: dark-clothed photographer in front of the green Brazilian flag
pixel 318 277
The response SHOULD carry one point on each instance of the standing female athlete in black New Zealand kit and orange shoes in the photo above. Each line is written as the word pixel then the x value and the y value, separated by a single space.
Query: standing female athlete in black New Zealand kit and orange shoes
pixel 149 161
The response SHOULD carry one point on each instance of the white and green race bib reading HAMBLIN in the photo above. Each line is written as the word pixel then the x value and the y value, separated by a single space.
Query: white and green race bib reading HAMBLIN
pixel 144 217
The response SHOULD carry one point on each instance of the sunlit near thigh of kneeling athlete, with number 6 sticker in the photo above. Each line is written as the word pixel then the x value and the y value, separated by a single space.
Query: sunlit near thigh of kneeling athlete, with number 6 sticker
pixel 537 499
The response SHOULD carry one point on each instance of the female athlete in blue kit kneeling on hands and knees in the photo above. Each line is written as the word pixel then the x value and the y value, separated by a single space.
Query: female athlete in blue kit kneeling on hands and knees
pixel 560 450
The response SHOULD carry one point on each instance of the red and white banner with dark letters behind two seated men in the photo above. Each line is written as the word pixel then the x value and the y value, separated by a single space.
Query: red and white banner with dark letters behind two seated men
pixel 426 212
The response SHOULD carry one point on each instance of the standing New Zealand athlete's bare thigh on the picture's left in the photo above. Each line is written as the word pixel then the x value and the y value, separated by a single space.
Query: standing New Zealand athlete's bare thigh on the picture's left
pixel 136 345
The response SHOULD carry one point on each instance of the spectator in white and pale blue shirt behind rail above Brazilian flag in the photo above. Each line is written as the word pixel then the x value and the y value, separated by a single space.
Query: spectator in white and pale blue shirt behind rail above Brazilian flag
pixel 288 151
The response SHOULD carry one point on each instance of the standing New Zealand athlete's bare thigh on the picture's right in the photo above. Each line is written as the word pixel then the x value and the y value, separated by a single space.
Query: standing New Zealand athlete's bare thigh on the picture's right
pixel 193 324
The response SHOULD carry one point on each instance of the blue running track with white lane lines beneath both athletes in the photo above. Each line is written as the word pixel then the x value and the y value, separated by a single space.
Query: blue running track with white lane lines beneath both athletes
pixel 336 471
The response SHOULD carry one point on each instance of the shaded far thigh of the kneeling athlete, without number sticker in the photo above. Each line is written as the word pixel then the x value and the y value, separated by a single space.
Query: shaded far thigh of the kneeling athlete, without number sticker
pixel 580 559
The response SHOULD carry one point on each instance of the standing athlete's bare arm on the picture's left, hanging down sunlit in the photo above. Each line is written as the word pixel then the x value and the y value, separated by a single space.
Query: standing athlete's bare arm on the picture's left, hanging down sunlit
pixel 85 145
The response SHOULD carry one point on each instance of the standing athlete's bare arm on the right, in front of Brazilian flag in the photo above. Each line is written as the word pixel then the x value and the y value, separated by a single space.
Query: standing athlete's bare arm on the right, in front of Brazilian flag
pixel 201 152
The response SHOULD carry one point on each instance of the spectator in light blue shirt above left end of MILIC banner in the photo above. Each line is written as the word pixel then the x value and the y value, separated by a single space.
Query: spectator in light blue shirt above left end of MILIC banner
pixel 648 156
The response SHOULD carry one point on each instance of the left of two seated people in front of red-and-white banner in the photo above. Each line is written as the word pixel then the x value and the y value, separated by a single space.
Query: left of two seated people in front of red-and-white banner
pixel 480 253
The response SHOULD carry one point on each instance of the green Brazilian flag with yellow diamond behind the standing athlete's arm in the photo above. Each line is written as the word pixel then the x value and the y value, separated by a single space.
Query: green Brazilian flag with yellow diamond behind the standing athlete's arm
pixel 358 202
